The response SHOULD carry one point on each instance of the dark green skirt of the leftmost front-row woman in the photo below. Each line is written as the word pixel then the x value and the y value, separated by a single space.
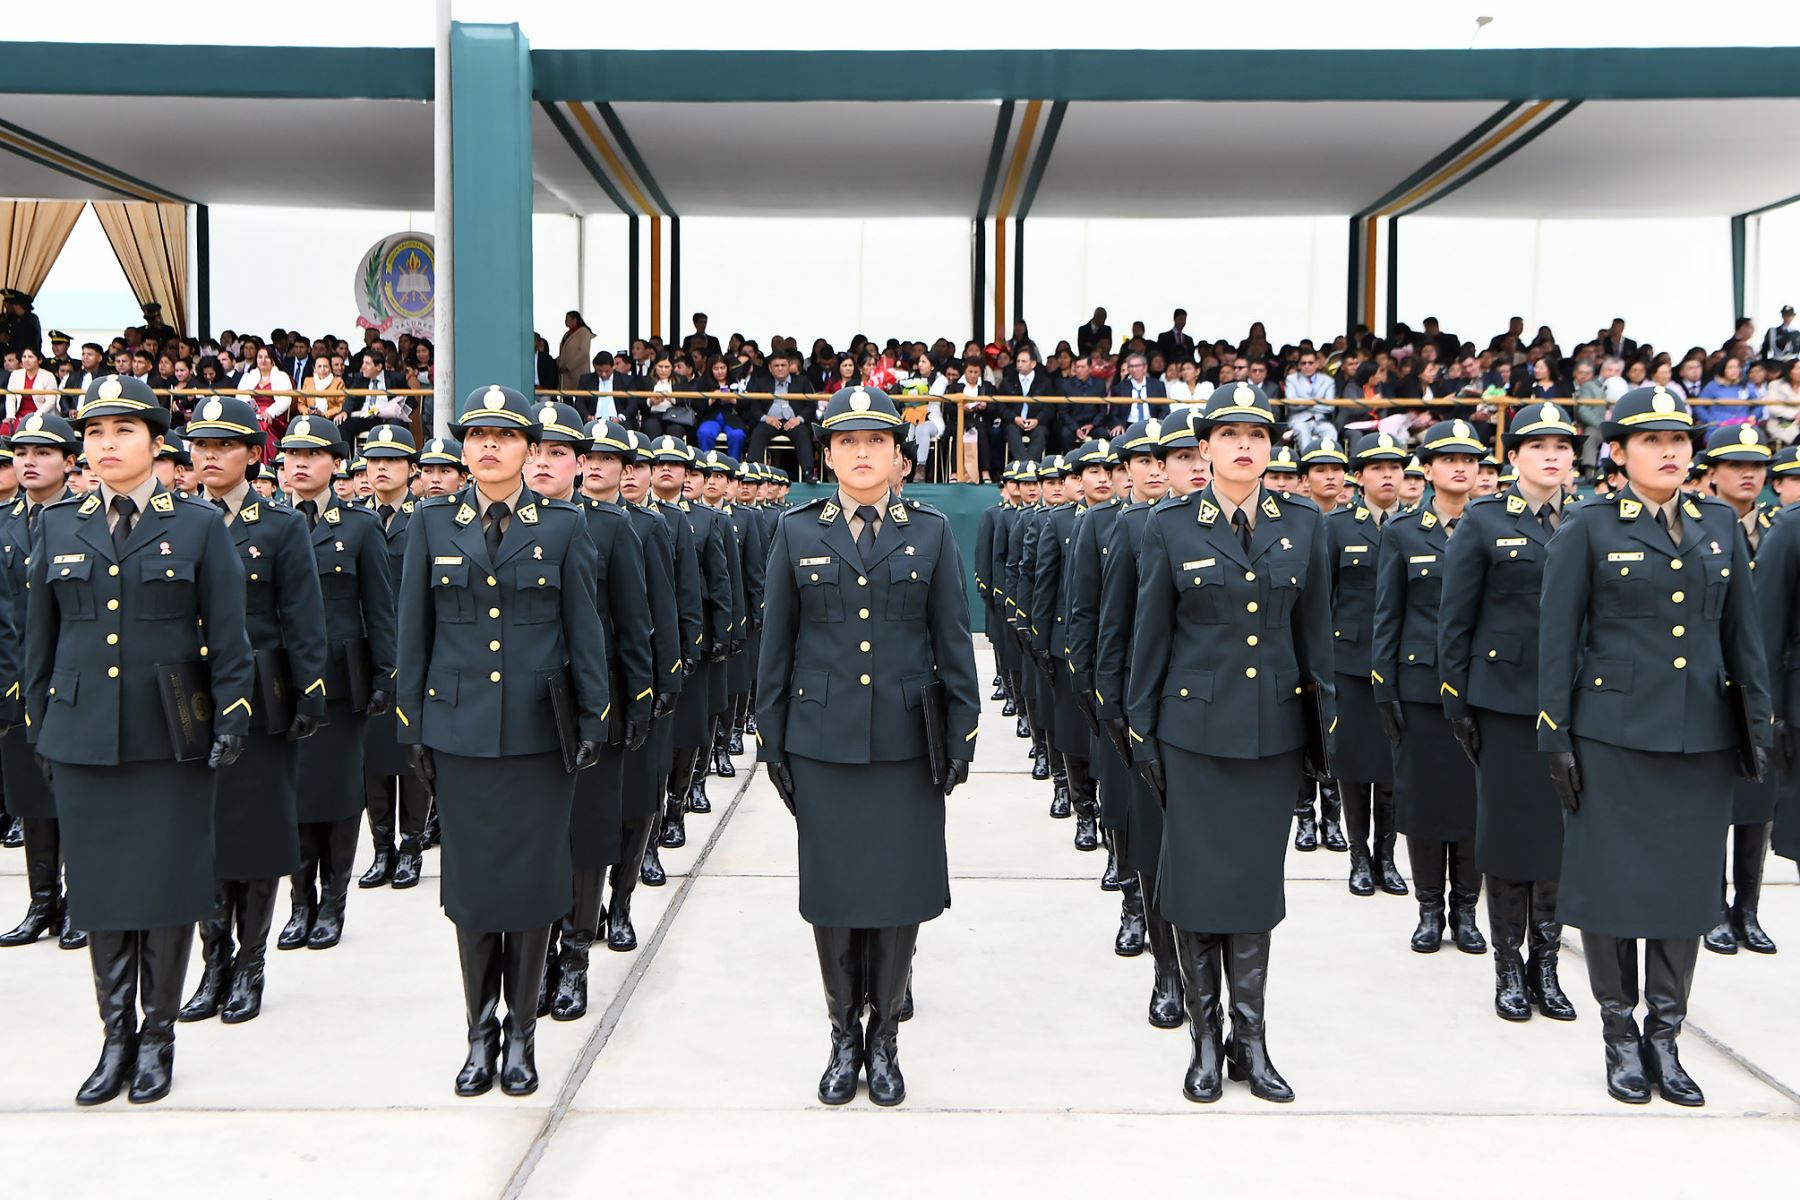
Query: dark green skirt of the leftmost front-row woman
pixel 139 845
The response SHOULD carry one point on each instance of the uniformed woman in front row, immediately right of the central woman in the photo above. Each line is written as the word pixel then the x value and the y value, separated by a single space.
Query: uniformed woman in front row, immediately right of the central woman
pixel 1234 625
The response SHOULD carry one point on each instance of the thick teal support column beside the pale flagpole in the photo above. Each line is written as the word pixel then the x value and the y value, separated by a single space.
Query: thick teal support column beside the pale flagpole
pixel 490 206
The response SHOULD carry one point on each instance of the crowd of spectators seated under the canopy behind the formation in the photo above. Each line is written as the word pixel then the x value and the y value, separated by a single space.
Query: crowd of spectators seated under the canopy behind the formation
pixel 751 399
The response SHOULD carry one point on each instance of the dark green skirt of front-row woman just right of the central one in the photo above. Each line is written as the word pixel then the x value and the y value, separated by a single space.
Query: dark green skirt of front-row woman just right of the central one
pixel 1225 841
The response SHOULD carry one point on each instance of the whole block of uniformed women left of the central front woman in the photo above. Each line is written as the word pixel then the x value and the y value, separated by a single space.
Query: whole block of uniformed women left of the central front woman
pixel 206 692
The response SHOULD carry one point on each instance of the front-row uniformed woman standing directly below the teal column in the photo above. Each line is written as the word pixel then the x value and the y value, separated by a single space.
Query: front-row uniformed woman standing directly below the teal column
pixel 498 631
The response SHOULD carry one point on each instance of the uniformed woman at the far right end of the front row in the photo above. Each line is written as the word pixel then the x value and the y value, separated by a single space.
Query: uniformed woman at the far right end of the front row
pixel 1648 641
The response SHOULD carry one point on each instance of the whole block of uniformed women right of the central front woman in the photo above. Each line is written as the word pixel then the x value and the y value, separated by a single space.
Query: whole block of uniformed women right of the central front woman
pixel 1527 688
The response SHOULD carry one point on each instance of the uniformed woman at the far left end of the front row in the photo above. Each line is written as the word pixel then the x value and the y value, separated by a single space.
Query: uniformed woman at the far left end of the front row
pixel 125 584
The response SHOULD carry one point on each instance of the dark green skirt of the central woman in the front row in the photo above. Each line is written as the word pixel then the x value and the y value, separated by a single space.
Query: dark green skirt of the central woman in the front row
pixel 872 846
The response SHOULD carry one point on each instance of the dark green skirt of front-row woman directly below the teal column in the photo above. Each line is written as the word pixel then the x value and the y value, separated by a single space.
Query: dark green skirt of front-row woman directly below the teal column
pixel 507 859
